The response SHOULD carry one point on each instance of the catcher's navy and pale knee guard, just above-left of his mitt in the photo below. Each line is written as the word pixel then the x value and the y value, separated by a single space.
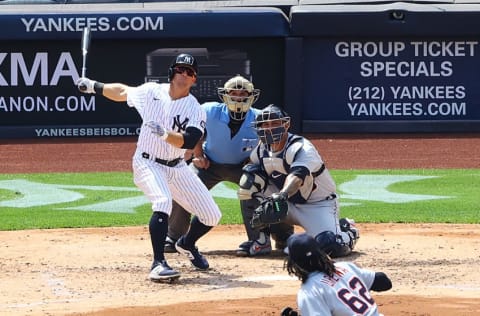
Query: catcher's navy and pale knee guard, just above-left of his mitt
pixel 252 182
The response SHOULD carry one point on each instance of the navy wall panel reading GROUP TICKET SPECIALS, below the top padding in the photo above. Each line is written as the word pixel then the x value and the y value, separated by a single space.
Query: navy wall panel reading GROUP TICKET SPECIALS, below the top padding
pixel 385 79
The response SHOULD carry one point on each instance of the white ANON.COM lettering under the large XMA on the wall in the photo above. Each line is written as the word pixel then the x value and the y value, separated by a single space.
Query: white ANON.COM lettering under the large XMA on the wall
pixel 47 104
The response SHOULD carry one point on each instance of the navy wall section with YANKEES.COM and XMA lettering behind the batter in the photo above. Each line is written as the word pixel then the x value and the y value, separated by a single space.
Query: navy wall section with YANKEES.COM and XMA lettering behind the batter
pixel 40 64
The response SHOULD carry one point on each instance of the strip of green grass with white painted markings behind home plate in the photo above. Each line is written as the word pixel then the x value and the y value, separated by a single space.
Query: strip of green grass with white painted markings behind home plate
pixel 460 187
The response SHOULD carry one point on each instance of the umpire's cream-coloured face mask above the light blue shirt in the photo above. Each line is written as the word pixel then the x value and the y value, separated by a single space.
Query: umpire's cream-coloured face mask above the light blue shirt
pixel 238 94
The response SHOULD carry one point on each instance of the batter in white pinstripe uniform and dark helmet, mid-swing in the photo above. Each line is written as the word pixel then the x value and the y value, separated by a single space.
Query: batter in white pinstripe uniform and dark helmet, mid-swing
pixel 172 123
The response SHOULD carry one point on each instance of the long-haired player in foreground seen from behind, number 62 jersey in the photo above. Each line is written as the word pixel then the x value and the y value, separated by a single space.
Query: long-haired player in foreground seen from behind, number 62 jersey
pixel 329 288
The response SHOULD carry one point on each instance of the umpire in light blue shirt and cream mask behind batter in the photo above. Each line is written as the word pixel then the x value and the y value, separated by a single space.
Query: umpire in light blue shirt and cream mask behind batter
pixel 227 145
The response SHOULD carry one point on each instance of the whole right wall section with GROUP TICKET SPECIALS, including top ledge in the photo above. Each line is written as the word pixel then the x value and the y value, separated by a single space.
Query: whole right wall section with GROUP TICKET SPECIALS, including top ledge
pixel 395 67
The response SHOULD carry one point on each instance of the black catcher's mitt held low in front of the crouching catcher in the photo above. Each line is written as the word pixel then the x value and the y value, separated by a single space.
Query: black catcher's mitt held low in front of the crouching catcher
pixel 271 211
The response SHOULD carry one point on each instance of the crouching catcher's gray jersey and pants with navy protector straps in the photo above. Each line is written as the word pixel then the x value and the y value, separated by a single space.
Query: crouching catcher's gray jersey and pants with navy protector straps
pixel 315 205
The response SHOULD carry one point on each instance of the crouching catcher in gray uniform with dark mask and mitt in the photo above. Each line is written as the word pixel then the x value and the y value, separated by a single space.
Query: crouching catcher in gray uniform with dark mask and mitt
pixel 290 178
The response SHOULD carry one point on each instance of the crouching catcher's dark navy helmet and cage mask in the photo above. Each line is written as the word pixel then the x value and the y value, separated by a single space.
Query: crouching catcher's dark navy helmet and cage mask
pixel 272 124
